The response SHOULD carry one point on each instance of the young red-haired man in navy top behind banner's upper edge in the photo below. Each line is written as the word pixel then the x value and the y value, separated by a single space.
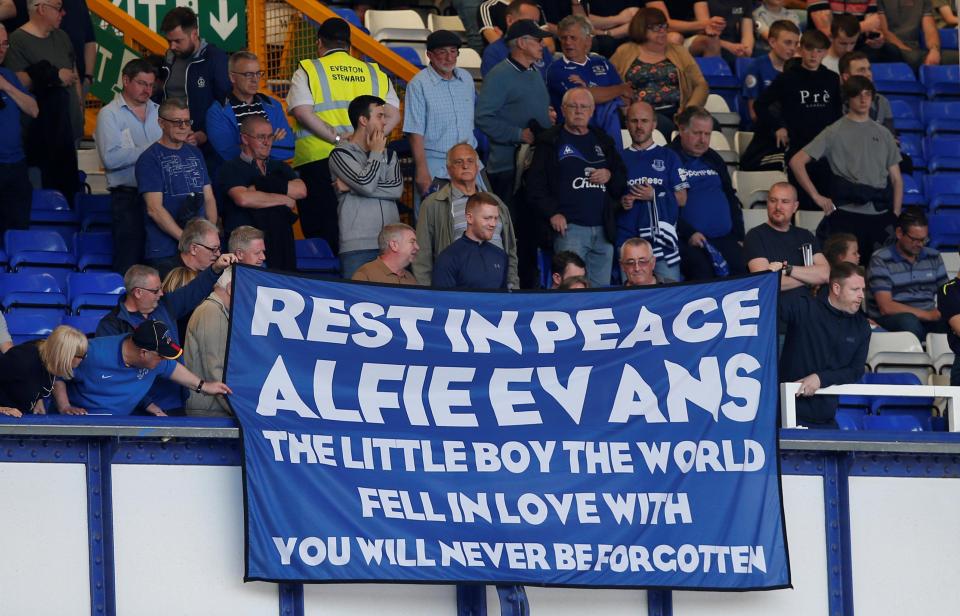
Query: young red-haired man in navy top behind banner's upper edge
pixel 472 262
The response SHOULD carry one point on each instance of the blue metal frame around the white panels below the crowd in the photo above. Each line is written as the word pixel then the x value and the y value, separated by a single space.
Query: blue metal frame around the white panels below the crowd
pixel 834 456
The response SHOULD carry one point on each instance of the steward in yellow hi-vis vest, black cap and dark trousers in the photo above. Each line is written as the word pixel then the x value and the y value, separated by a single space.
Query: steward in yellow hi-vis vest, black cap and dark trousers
pixel 320 92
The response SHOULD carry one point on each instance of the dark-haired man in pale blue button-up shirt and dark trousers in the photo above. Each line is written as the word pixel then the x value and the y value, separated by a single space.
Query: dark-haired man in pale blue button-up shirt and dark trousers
pixel 127 126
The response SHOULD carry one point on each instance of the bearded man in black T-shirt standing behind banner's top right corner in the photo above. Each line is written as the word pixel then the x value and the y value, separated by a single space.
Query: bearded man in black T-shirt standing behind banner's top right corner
pixel 778 245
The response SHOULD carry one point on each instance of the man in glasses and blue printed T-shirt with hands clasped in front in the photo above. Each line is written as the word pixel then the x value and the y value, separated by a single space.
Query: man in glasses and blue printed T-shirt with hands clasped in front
pixel 172 177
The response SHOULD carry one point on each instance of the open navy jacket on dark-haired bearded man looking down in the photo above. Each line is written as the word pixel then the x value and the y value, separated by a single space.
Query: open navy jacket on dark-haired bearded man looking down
pixel 208 80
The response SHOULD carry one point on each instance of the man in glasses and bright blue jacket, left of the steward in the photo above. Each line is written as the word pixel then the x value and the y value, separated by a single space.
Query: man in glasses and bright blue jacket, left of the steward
pixel 225 116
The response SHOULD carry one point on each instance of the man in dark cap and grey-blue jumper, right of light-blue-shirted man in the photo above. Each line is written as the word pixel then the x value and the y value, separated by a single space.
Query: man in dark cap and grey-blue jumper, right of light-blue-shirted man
pixel 512 102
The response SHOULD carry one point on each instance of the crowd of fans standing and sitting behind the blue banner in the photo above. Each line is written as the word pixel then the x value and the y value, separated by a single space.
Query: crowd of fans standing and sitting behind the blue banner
pixel 195 154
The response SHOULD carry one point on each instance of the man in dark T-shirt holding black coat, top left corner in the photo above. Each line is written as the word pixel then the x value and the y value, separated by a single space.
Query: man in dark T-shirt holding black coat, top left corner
pixel 43 57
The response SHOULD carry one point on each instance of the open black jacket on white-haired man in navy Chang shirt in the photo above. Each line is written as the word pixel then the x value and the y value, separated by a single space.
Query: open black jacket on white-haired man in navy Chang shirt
pixel 539 179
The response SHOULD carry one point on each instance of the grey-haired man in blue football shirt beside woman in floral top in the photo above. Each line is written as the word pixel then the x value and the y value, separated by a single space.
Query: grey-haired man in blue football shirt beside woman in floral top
pixel 578 68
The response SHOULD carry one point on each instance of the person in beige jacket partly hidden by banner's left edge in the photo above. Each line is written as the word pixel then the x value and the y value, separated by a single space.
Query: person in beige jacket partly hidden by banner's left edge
pixel 205 346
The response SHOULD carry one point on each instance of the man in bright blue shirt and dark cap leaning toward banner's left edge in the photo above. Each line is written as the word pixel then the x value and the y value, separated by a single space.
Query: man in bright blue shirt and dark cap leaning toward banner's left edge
pixel 118 372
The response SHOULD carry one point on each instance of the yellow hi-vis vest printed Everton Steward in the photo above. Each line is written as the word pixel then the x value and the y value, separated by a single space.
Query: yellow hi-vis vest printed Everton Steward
pixel 335 79
